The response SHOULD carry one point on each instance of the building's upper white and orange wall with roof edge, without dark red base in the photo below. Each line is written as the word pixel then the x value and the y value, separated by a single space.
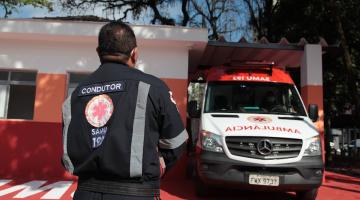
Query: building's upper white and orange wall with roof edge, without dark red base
pixel 56 48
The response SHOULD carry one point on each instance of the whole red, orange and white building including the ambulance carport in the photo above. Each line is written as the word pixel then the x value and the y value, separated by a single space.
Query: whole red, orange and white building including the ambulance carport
pixel 41 61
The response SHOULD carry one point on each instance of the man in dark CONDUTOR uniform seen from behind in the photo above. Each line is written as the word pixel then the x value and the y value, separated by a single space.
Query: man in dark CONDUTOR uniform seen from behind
pixel 121 127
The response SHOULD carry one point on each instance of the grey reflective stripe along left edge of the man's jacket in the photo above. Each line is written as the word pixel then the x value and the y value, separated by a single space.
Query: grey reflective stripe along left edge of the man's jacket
pixel 66 110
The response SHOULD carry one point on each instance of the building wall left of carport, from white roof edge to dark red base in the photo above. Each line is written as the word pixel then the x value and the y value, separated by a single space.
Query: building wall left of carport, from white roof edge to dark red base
pixel 55 49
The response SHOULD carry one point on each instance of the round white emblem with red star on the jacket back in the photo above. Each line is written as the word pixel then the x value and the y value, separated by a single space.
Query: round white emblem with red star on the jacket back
pixel 99 110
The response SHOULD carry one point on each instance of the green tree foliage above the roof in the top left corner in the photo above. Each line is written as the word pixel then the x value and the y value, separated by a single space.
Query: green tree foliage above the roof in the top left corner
pixel 11 5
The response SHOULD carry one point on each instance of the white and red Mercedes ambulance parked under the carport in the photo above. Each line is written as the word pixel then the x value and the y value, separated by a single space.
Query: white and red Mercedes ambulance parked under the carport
pixel 255 133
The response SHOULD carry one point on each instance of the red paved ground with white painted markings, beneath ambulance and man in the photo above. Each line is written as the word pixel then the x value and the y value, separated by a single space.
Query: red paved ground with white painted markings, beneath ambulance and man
pixel 336 187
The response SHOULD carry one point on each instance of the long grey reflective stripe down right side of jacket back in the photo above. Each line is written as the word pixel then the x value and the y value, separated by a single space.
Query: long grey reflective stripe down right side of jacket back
pixel 137 141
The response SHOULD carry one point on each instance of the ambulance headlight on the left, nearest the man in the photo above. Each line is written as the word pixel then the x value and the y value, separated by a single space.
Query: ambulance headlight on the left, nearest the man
pixel 210 142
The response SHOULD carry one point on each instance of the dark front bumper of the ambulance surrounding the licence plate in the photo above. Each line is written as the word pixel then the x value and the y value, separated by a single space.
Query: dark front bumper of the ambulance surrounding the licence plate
pixel 218 170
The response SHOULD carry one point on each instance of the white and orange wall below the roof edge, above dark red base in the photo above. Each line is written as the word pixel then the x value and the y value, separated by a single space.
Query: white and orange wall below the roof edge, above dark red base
pixel 53 60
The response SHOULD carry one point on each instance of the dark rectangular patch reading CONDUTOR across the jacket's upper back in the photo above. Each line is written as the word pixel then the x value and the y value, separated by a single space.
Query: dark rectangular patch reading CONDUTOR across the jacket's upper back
pixel 116 86
